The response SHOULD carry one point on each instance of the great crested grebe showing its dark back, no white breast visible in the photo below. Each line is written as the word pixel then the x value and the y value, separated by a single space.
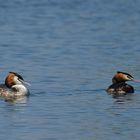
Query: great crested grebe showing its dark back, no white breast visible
pixel 119 85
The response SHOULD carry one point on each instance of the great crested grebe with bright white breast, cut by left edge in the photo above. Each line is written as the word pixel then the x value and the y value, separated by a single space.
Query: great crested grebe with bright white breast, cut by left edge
pixel 14 86
